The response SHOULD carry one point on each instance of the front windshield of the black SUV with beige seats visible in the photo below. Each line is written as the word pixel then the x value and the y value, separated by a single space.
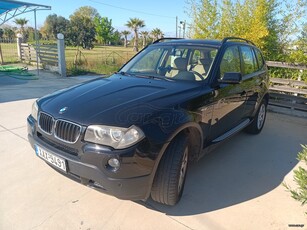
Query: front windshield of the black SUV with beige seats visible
pixel 190 63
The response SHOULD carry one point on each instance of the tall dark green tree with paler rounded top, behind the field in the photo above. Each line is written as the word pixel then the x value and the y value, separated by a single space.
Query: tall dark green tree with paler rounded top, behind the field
pixel 81 30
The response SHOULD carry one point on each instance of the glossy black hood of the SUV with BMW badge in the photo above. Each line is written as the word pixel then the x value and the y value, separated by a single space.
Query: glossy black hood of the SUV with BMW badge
pixel 113 100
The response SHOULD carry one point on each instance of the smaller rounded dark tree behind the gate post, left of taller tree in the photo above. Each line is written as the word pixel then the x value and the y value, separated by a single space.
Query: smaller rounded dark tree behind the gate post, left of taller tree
pixel 53 25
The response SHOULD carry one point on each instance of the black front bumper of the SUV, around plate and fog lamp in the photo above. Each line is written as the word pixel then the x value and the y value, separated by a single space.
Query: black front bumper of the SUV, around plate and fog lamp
pixel 132 181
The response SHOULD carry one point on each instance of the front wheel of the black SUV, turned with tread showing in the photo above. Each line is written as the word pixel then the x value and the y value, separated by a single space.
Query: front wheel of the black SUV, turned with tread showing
pixel 170 177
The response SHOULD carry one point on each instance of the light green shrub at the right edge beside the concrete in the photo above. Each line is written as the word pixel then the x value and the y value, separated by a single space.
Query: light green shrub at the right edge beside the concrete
pixel 300 177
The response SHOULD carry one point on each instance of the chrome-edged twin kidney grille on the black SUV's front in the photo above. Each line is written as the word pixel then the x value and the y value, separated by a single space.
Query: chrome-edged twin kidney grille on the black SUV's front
pixel 63 130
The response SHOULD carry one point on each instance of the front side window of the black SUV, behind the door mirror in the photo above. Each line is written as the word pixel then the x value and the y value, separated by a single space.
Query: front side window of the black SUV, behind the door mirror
pixel 230 61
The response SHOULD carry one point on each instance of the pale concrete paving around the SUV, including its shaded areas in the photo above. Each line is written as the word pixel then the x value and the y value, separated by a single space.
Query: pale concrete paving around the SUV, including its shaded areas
pixel 238 186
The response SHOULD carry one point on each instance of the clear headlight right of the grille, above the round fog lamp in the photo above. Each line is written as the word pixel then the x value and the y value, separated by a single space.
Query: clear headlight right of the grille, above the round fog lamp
pixel 116 137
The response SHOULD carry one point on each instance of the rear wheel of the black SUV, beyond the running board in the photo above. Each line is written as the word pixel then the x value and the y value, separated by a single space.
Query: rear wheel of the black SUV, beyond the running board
pixel 256 126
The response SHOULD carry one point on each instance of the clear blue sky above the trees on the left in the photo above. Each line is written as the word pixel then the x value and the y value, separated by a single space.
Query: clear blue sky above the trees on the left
pixel 156 14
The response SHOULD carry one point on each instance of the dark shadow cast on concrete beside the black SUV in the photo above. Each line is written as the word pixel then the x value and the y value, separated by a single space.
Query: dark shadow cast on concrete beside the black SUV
pixel 242 168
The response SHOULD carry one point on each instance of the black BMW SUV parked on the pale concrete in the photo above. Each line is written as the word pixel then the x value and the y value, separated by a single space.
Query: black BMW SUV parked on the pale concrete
pixel 133 134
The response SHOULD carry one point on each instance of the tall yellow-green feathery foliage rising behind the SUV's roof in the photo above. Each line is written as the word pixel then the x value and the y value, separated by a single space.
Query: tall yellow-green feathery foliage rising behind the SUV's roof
pixel 270 24
